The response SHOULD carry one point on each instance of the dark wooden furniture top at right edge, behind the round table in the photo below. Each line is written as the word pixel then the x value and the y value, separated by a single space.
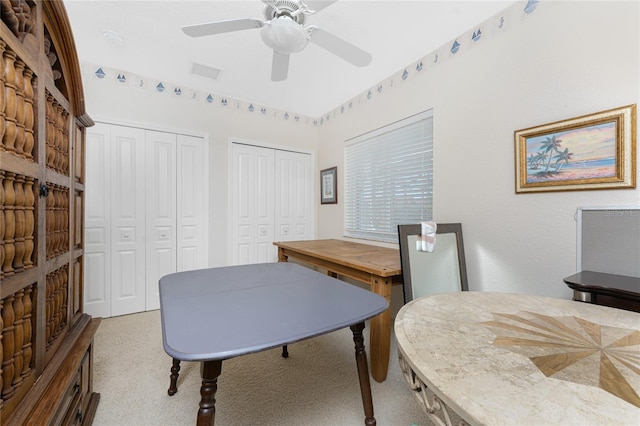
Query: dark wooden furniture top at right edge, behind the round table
pixel 617 291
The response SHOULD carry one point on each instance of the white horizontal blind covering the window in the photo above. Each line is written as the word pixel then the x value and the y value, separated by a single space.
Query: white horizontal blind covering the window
pixel 389 178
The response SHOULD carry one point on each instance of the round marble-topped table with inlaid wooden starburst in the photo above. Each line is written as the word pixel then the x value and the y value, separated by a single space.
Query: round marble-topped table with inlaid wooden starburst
pixel 498 359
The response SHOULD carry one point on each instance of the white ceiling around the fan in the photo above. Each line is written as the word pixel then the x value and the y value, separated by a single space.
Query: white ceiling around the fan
pixel 396 33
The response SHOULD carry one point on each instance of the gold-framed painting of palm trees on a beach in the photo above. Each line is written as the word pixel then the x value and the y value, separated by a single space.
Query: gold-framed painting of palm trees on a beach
pixel 596 151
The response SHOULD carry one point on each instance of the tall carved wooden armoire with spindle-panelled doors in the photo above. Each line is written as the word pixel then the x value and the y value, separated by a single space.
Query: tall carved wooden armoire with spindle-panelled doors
pixel 46 341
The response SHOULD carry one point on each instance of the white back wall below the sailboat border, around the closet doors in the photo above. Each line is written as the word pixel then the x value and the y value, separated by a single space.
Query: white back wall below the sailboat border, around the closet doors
pixel 124 104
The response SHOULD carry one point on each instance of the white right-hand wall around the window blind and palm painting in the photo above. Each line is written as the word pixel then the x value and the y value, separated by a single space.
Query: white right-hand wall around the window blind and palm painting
pixel 566 59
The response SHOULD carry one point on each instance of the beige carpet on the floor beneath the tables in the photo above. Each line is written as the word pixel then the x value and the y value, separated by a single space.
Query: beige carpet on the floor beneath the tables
pixel 316 385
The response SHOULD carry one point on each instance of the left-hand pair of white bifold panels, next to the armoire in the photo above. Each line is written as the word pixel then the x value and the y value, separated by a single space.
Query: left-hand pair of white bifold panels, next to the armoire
pixel 115 221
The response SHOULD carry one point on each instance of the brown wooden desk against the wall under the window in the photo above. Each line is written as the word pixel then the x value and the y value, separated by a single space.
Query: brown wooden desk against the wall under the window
pixel 379 267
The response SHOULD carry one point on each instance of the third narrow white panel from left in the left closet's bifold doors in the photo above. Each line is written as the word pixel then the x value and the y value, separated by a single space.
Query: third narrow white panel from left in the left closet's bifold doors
pixel 160 212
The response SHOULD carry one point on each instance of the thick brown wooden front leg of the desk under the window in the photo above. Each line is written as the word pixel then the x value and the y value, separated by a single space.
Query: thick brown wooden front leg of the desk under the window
pixel 380 338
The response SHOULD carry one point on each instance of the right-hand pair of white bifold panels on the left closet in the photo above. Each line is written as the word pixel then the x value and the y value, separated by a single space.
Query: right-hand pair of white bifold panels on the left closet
pixel 175 195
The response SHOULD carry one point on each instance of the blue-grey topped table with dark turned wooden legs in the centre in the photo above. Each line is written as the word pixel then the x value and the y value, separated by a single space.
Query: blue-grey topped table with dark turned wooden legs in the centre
pixel 210 315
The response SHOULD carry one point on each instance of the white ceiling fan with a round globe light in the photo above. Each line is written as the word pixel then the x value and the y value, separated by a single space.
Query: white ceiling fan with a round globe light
pixel 283 31
